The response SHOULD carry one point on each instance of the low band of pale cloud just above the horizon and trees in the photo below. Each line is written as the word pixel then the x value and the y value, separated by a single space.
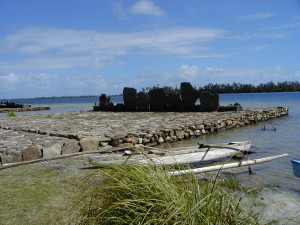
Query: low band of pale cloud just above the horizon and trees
pixel 45 84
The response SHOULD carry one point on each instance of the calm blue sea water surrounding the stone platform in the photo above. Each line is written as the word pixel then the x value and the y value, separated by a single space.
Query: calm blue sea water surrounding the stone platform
pixel 266 143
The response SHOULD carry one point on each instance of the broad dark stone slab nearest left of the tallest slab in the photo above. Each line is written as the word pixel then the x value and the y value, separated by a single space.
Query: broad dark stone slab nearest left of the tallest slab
pixel 158 100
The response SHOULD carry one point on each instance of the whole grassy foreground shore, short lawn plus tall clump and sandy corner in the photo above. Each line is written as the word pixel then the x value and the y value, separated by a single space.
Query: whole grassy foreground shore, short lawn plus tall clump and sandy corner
pixel 67 191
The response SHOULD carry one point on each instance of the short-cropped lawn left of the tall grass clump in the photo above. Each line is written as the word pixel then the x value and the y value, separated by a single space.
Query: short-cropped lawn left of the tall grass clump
pixel 42 193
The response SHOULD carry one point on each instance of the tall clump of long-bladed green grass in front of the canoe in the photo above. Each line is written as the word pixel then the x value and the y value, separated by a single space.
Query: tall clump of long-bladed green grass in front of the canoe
pixel 135 194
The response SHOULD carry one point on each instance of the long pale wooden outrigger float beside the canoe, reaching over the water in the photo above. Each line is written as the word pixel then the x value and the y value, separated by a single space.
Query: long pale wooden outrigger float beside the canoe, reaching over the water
pixel 227 166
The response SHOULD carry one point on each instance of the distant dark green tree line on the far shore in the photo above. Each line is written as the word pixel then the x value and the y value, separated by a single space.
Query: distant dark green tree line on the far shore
pixel 286 86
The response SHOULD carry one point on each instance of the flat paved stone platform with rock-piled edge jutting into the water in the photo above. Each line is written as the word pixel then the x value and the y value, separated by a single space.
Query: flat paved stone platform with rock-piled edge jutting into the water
pixel 31 137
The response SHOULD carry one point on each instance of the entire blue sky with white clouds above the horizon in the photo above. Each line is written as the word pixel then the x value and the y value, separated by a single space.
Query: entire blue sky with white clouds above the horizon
pixel 87 47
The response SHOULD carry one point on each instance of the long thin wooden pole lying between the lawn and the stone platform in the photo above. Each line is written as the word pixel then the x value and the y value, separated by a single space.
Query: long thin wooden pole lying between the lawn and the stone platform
pixel 4 166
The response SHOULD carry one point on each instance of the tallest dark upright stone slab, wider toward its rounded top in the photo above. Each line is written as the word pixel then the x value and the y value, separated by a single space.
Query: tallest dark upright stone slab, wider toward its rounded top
pixel 189 96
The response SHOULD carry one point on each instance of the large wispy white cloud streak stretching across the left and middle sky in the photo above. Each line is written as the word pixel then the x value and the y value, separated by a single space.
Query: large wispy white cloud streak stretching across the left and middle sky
pixel 51 48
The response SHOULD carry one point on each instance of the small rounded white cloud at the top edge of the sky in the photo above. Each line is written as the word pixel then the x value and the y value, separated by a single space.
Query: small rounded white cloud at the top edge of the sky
pixel 146 7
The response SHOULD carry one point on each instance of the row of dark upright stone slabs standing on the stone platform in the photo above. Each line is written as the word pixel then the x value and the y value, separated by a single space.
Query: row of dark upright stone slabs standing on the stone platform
pixel 158 101
